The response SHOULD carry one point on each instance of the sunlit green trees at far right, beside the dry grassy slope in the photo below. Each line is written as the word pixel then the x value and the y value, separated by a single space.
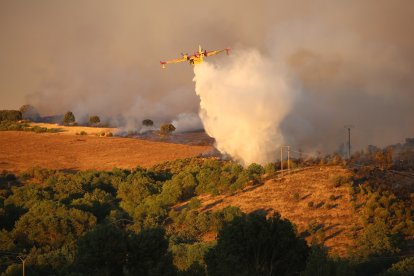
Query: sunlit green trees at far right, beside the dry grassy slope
pixel 387 225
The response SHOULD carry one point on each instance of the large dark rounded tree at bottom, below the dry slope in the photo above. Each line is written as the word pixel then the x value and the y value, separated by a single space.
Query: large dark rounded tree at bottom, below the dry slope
pixel 254 245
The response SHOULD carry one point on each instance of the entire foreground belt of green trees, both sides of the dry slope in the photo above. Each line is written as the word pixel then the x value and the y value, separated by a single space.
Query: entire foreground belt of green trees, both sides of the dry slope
pixel 128 222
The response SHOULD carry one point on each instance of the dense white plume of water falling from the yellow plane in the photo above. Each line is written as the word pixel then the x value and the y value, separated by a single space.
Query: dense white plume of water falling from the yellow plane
pixel 242 104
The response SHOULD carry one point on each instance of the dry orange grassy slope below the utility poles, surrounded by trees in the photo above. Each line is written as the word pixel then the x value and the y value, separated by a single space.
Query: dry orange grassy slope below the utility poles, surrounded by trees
pixel 314 184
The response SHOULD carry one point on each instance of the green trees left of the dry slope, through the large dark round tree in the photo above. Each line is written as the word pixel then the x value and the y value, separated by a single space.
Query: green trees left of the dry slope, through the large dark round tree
pixel 125 222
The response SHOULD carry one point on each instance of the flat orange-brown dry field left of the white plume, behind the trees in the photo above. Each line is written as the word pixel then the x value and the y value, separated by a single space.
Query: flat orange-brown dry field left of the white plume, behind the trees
pixel 65 151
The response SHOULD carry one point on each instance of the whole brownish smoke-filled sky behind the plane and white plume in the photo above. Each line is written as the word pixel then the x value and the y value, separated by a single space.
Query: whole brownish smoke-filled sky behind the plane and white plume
pixel 352 60
